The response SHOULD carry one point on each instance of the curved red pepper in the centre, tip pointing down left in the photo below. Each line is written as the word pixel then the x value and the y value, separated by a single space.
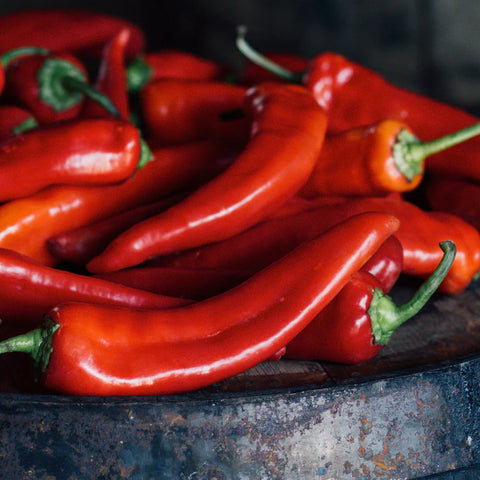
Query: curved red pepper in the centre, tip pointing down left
pixel 287 135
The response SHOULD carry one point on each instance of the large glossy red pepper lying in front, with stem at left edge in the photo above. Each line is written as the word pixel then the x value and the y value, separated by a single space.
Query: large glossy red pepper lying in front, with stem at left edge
pixel 181 349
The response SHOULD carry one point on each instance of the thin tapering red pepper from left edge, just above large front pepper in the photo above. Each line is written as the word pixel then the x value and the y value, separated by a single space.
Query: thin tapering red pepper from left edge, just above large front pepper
pixel 29 290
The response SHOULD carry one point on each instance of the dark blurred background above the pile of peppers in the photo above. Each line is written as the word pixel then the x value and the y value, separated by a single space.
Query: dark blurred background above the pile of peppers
pixel 427 45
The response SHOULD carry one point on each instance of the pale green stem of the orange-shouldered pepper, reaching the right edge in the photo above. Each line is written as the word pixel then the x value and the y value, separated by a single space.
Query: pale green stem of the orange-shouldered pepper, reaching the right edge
pixel 409 152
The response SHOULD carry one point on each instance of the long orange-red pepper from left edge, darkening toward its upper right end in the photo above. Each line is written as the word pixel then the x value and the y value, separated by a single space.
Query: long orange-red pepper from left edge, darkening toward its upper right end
pixel 27 223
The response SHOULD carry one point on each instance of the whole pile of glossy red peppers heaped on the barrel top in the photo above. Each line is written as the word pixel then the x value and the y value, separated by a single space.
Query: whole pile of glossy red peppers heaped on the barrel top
pixel 166 222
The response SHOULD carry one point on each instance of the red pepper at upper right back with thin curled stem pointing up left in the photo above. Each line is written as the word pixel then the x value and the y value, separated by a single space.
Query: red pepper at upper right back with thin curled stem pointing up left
pixel 355 96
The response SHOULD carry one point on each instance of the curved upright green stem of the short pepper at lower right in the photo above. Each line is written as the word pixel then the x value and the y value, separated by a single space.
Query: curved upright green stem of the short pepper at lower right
pixel 386 317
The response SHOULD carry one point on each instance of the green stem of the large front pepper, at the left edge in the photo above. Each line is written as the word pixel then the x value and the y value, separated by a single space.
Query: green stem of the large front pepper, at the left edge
pixel 37 343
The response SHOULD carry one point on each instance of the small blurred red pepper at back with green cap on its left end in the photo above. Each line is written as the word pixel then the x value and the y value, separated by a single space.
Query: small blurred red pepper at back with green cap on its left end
pixel 163 64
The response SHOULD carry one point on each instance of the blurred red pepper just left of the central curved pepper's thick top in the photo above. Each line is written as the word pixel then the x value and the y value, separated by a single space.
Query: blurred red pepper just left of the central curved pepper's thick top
pixel 176 111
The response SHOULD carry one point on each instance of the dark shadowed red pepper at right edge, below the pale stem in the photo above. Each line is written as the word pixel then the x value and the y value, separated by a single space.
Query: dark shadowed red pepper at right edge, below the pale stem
pixel 455 196
